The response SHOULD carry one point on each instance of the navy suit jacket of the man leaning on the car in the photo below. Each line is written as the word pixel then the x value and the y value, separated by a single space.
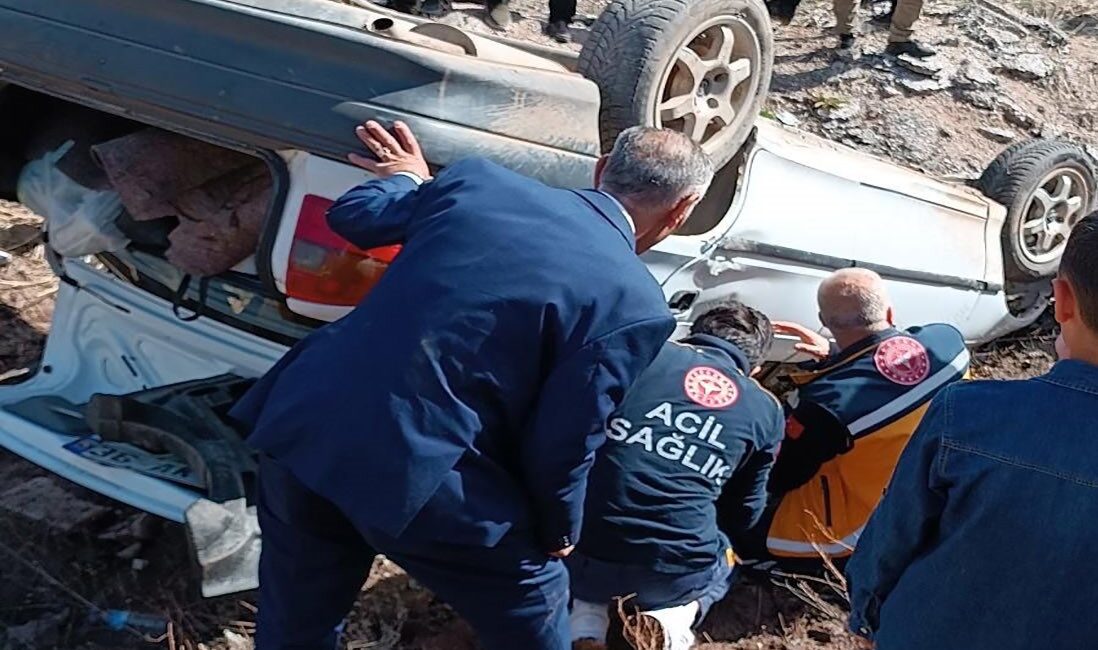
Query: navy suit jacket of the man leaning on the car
pixel 477 378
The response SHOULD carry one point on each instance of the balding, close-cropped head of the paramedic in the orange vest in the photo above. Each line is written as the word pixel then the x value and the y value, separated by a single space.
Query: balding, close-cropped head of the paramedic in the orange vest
pixel 854 298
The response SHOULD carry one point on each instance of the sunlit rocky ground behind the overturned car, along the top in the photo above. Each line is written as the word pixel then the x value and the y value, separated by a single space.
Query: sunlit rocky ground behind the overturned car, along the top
pixel 1005 72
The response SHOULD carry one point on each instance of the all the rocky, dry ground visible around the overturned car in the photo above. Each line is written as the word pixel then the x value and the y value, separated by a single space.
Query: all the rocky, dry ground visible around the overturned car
pixel 1006 72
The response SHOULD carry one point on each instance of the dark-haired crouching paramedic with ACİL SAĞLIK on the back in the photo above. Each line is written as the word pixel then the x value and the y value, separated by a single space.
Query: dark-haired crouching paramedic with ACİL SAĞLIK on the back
pixel 694 429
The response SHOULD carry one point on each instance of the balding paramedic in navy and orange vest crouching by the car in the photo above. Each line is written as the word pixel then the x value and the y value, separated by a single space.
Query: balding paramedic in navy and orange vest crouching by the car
pixel 851 414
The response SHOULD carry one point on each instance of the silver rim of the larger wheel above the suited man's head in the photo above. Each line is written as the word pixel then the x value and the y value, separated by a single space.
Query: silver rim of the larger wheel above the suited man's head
pixel 711 82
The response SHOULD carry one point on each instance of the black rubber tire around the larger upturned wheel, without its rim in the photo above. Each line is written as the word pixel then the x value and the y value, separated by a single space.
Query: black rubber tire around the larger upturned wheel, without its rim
pixel 645 35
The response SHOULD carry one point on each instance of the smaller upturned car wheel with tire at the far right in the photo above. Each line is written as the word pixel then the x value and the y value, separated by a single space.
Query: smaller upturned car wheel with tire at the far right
pixel 1047 186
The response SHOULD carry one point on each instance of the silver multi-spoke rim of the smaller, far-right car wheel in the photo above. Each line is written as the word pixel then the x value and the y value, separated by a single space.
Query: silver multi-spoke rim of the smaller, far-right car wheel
pixel 1054 210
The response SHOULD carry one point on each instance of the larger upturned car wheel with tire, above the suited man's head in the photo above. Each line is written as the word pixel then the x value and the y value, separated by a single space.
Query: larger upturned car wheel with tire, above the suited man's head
pixel 703 68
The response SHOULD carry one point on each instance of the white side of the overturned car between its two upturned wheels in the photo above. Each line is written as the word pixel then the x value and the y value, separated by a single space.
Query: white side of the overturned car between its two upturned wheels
pixel 808 207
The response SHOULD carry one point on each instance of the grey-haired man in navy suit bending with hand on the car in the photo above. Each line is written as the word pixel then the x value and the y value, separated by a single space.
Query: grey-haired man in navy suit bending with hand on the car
pixel 450 422
